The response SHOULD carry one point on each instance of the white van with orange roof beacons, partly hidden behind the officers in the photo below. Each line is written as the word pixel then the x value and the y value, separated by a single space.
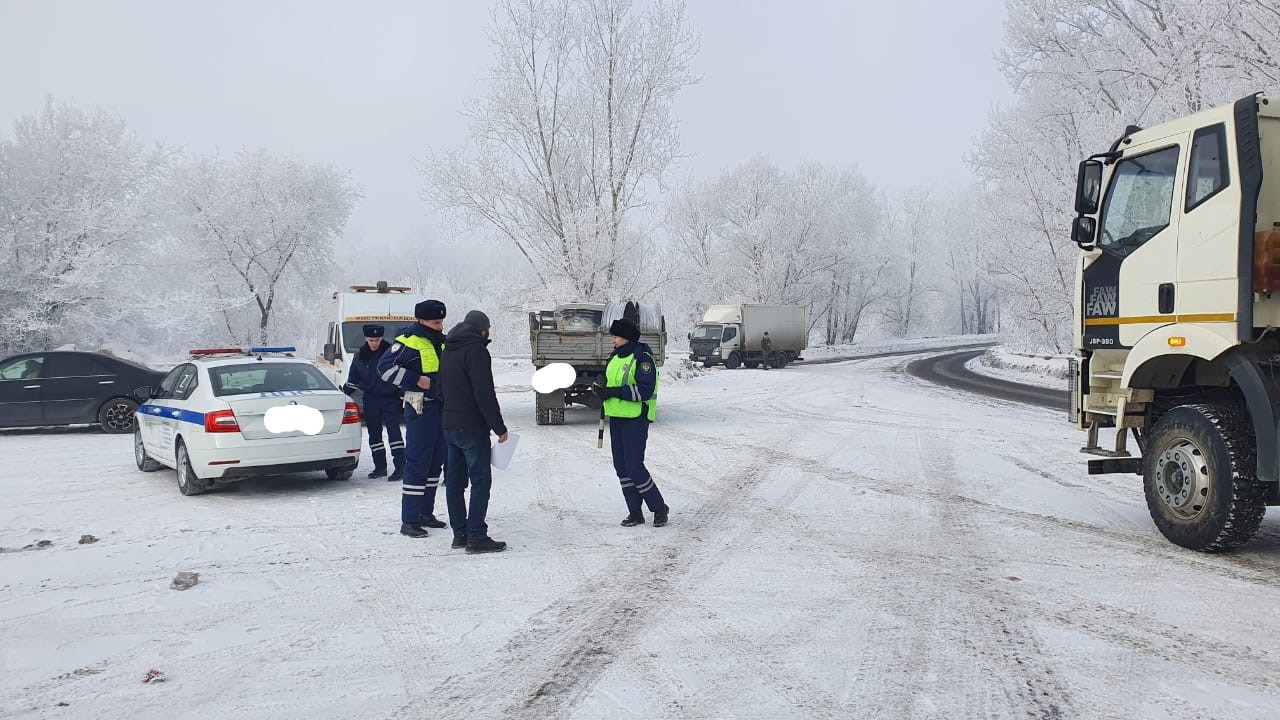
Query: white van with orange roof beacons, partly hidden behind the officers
pixel 350 311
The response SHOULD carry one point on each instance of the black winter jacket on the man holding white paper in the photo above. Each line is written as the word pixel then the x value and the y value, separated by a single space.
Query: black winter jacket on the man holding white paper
pixel 467 373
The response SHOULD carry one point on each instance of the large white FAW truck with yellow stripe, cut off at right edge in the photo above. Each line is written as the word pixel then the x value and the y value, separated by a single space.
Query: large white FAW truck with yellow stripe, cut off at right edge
pixel 1177 317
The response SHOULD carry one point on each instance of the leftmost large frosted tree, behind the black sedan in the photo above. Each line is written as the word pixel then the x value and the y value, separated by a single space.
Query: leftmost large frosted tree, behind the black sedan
pixel 77 198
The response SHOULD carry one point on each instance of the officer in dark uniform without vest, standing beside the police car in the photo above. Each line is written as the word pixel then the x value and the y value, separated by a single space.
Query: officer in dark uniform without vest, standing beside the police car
pixel 382 404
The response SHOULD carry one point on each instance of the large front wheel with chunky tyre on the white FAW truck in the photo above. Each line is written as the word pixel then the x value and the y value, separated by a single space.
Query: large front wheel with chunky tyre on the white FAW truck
pixel 1200 476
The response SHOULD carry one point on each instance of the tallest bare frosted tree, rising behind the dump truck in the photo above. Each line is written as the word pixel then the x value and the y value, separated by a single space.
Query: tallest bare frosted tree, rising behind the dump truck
pixel 573 136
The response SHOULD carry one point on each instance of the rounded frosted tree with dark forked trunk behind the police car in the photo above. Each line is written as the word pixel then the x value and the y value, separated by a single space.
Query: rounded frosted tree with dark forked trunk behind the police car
pixel 262 231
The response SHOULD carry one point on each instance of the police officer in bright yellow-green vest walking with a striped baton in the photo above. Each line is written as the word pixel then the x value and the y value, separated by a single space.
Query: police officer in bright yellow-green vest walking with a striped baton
pixel 630 399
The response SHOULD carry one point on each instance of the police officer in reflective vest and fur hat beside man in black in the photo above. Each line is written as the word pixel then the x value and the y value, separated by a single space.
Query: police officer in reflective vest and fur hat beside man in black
pixel 413 364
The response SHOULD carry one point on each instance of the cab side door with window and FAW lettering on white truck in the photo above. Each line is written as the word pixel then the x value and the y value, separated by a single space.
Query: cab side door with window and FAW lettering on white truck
pixel 1128 290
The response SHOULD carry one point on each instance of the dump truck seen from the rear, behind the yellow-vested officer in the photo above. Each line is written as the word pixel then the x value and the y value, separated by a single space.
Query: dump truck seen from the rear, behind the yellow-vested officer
pixel 579 336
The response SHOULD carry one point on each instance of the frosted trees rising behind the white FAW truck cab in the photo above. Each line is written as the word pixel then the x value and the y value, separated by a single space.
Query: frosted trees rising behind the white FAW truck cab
pixel 1082 71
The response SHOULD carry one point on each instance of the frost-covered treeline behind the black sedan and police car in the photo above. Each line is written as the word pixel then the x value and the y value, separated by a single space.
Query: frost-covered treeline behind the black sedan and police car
pixel 109 243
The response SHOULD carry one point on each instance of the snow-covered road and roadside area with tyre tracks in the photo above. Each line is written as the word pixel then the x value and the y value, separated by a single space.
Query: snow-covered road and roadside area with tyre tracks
pixel 847 541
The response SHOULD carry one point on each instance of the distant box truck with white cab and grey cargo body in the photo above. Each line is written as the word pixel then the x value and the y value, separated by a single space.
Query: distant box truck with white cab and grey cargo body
pixel 730 335
